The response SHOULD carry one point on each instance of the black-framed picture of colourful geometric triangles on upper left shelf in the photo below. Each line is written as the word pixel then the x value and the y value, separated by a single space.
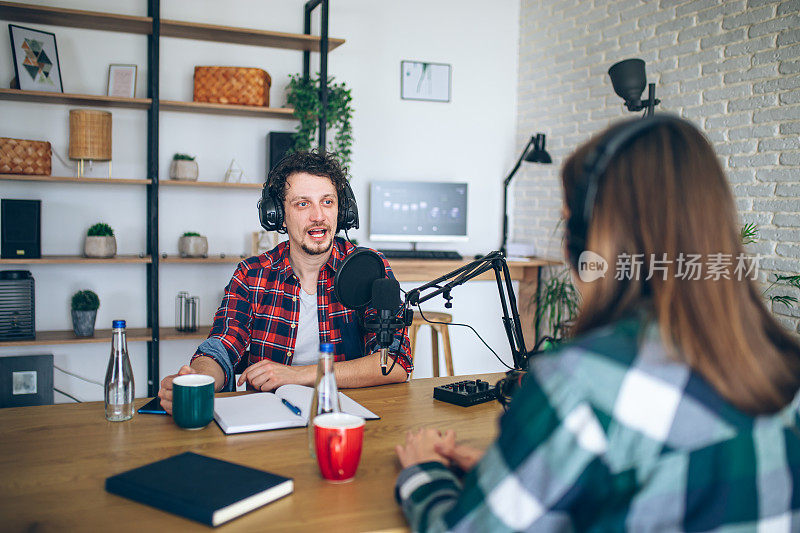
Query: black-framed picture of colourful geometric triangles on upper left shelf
pixel 35 59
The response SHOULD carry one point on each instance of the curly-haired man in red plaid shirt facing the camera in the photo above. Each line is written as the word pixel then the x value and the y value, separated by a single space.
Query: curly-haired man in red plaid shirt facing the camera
pixel 281 304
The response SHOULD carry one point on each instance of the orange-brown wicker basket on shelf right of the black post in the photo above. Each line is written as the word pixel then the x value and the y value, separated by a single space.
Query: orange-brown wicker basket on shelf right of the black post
pixel 232 85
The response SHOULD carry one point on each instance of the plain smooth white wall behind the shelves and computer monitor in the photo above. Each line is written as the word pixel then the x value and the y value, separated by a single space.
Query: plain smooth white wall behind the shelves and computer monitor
pixel 469 139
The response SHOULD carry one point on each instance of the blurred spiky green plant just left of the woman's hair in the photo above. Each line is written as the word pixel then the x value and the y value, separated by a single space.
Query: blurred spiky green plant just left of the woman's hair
pixel 559 301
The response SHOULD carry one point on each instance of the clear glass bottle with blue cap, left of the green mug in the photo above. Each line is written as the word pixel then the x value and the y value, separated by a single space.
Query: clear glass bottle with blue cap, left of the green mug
pixel 119 377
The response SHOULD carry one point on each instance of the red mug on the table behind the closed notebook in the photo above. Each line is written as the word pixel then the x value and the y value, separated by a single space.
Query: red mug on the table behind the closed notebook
pixel 338 438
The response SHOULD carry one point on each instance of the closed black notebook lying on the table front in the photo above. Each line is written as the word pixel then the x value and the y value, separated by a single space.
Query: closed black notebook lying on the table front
pixel 201 488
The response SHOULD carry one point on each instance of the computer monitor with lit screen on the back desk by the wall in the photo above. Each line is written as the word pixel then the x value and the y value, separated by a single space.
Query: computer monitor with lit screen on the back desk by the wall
pixel 418 211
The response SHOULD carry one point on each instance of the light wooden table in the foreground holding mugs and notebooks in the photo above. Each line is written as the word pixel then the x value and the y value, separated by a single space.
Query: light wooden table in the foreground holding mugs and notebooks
pixel 54 461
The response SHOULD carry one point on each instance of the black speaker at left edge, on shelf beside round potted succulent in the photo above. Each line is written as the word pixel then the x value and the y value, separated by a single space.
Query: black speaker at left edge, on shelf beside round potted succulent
pixel 20 229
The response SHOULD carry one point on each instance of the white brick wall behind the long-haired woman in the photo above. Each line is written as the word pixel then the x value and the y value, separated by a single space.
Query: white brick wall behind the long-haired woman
pixel 730 66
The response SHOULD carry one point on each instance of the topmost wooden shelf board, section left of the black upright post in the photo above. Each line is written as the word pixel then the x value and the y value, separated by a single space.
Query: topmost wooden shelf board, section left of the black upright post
pixel 75 18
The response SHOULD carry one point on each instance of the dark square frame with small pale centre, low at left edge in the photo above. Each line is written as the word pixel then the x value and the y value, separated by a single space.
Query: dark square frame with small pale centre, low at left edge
pixel 26 380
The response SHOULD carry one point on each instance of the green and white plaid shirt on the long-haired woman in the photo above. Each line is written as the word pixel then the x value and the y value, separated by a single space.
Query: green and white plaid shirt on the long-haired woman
pixel 609 434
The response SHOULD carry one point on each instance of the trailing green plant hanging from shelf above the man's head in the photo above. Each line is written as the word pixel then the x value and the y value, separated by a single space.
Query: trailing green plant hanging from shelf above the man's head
pixel 303 96
